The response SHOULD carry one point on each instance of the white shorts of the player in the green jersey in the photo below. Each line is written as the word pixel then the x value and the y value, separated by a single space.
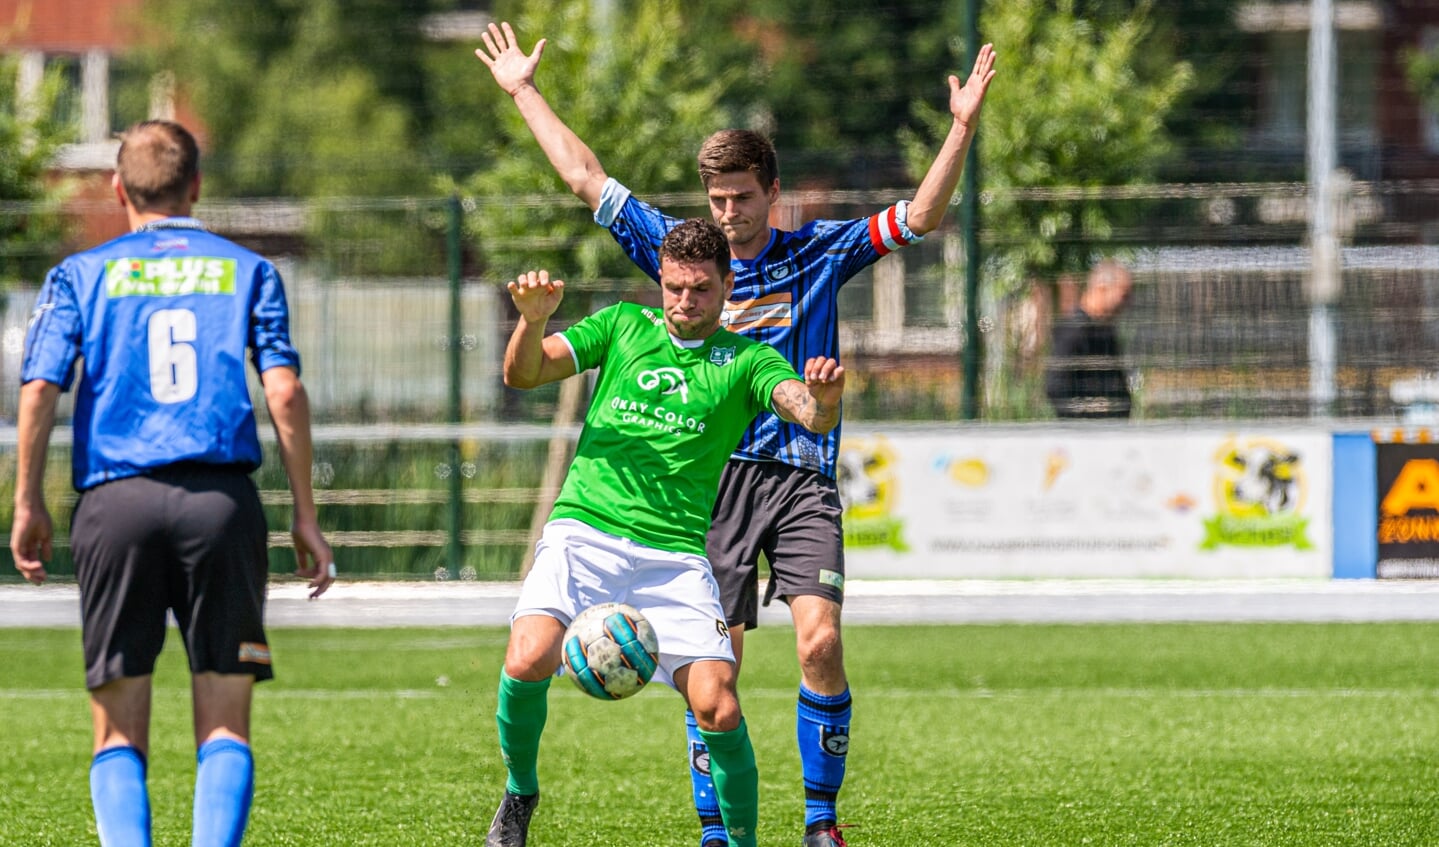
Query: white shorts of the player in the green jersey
pixel 578 566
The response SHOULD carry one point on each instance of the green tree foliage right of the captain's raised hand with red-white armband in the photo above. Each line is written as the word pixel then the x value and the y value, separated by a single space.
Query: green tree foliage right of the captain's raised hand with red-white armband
pixel 1070 109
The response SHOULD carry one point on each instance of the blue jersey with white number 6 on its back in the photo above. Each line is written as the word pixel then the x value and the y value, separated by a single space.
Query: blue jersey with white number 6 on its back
pixel 159 317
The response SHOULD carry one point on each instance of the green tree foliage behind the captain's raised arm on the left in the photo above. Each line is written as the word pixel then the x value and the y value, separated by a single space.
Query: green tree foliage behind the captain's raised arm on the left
pixel 640 88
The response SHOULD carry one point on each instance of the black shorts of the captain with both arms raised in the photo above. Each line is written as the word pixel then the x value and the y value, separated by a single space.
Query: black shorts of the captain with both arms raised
pixel 789 514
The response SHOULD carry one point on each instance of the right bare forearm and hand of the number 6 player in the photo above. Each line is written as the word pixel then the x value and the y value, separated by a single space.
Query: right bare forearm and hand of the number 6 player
pixel 289 405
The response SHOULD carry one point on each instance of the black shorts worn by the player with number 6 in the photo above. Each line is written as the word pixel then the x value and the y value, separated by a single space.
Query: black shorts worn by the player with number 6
pixel 188 539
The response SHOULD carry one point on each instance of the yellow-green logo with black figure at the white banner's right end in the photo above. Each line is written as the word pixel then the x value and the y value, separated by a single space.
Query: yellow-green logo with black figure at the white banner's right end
pixel 1261 490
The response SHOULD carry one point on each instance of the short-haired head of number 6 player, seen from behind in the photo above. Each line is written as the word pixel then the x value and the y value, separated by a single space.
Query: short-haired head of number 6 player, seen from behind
pixel 158 165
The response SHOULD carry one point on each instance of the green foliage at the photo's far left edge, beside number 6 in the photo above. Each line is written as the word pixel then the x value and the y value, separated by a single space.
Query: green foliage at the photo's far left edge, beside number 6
pixel 32 234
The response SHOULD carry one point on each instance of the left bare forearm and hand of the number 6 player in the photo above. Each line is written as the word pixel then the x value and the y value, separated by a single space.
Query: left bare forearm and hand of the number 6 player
pixel 32 531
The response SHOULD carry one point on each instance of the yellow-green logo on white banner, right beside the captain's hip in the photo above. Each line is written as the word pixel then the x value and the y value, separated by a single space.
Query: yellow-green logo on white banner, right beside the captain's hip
pixel 868 491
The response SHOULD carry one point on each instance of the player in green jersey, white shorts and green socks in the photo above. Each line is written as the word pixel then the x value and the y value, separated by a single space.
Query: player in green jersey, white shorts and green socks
pixel 676 393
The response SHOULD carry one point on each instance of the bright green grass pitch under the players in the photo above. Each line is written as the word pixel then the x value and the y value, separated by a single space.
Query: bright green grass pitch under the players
pixel 982 736
